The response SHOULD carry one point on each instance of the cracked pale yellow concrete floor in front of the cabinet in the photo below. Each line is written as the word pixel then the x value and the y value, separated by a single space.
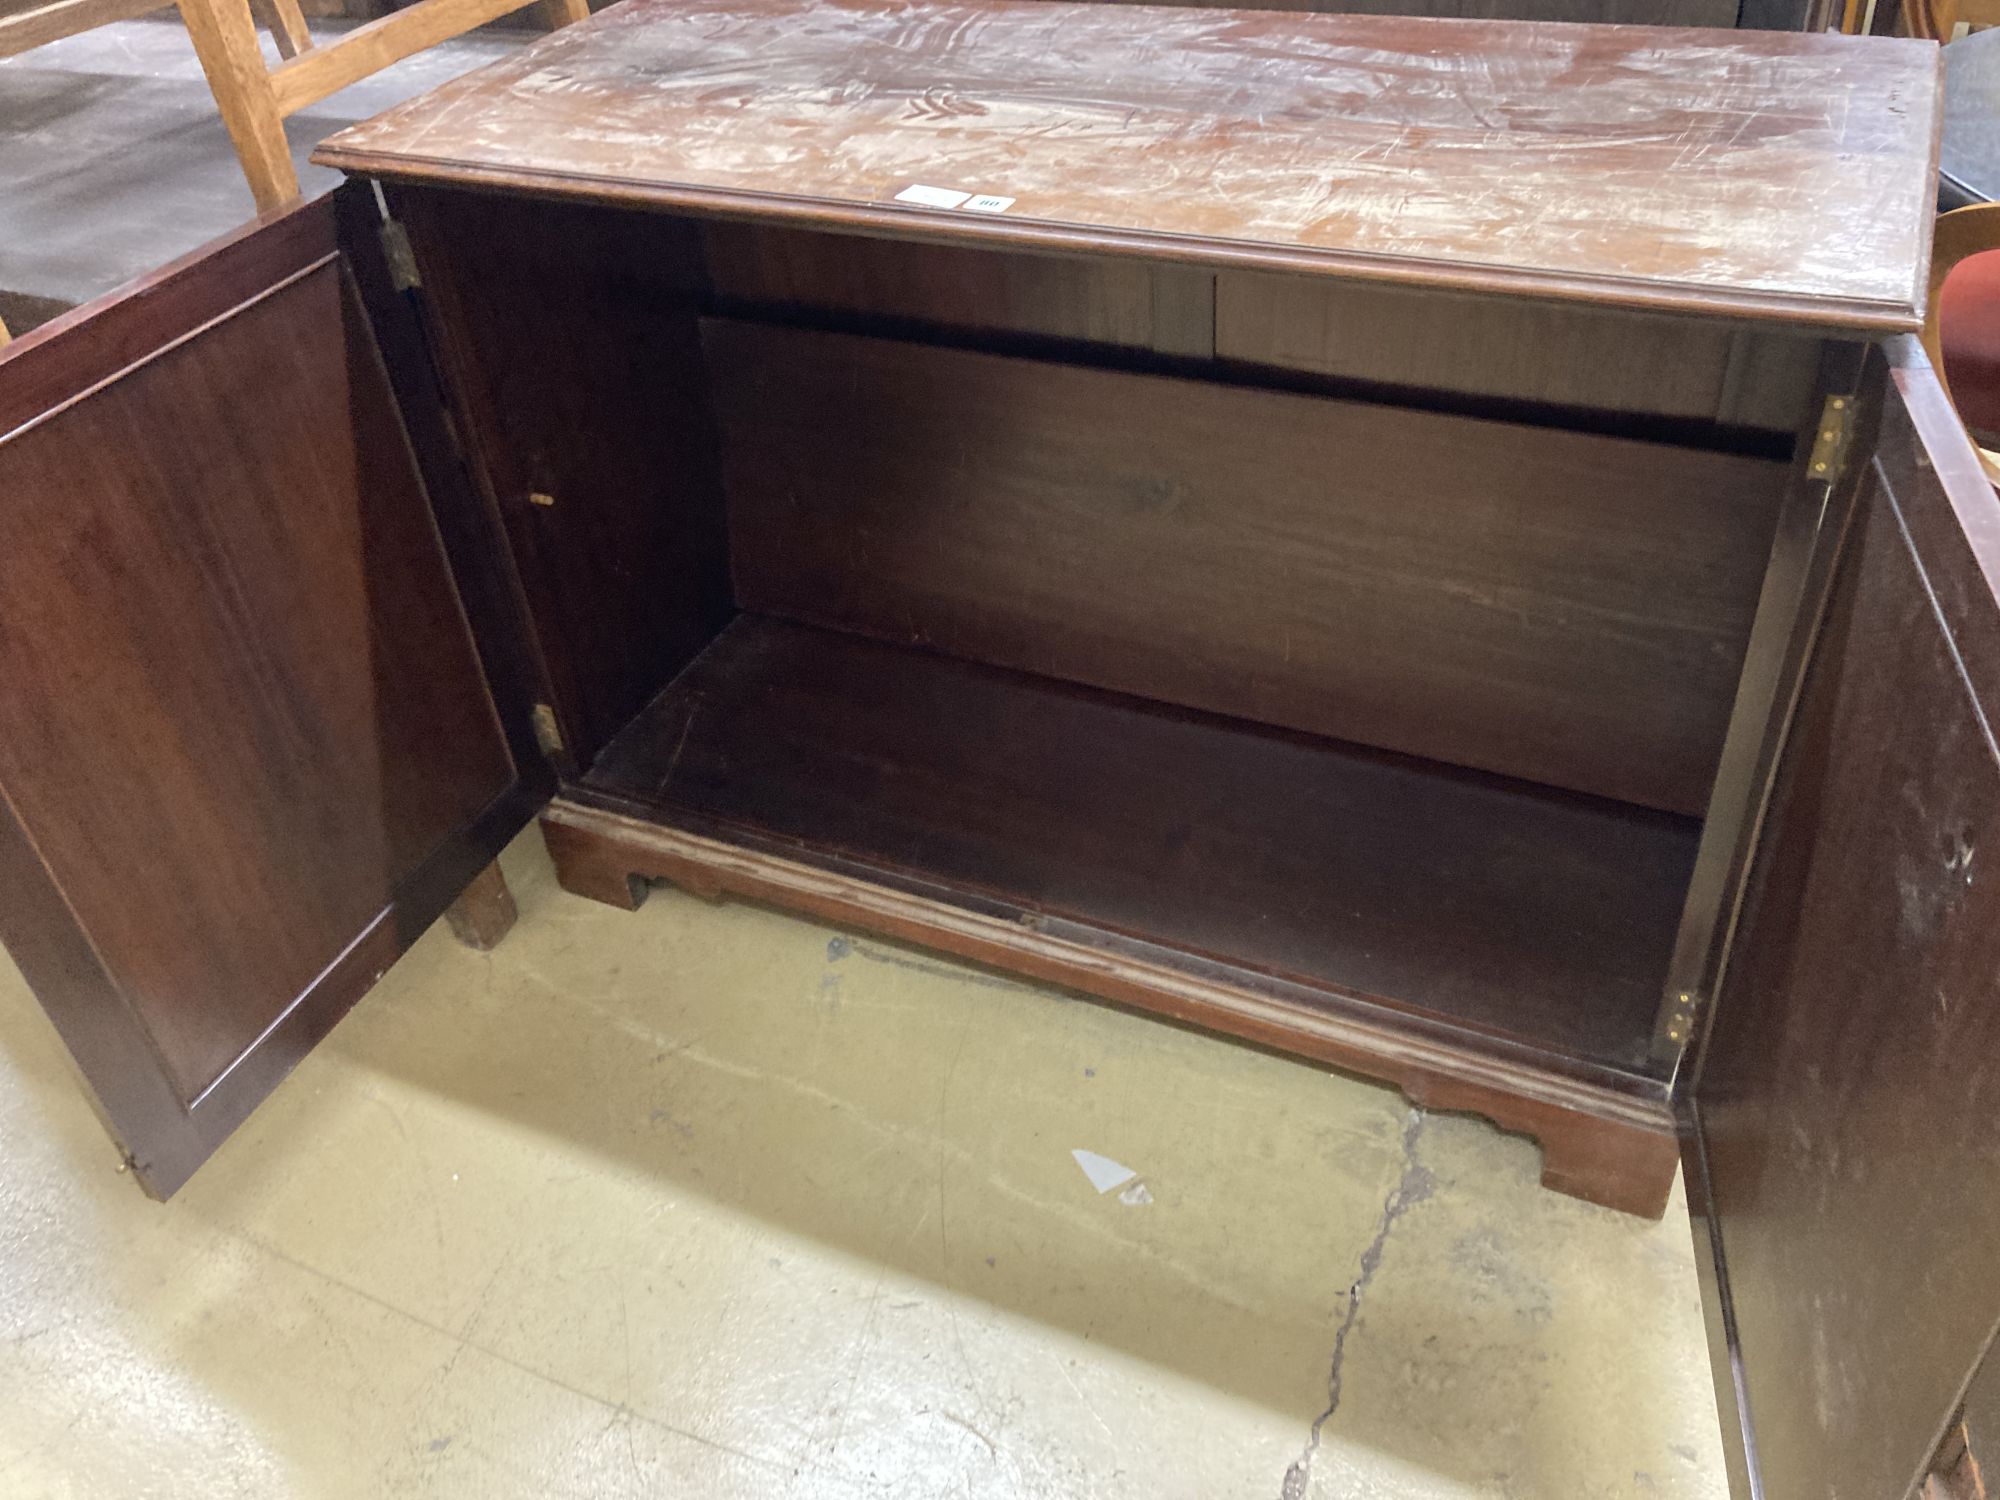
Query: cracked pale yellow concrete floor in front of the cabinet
pixel 719 1203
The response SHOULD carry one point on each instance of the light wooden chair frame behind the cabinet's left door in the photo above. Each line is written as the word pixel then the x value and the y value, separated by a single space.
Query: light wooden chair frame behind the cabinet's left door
pixel 257 99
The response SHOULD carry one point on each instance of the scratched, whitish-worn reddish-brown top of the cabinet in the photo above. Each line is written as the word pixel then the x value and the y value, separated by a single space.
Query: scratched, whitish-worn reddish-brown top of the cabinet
pixel 1735 173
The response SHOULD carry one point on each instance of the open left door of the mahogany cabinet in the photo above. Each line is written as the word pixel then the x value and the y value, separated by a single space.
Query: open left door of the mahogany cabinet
pixel 247 745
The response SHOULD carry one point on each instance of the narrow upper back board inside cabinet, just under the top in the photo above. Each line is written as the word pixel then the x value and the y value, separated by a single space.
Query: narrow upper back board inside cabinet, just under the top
pixel 1491 353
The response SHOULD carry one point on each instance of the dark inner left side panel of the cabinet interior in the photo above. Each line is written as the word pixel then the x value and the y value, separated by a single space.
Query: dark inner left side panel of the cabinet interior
pixel 571 341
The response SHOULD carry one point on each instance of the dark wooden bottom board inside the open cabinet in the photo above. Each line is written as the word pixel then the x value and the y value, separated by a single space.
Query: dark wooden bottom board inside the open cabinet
pixel 1505 911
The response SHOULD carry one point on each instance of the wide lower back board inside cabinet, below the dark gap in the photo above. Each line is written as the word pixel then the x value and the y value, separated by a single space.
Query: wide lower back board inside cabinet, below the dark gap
pixel 1561 607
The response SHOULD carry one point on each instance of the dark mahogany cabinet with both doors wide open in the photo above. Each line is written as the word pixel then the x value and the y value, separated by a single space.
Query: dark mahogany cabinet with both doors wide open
pixel 1427 545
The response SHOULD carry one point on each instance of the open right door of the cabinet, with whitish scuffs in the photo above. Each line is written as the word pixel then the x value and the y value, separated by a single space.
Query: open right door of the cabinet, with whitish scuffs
pixel 1845 1121
